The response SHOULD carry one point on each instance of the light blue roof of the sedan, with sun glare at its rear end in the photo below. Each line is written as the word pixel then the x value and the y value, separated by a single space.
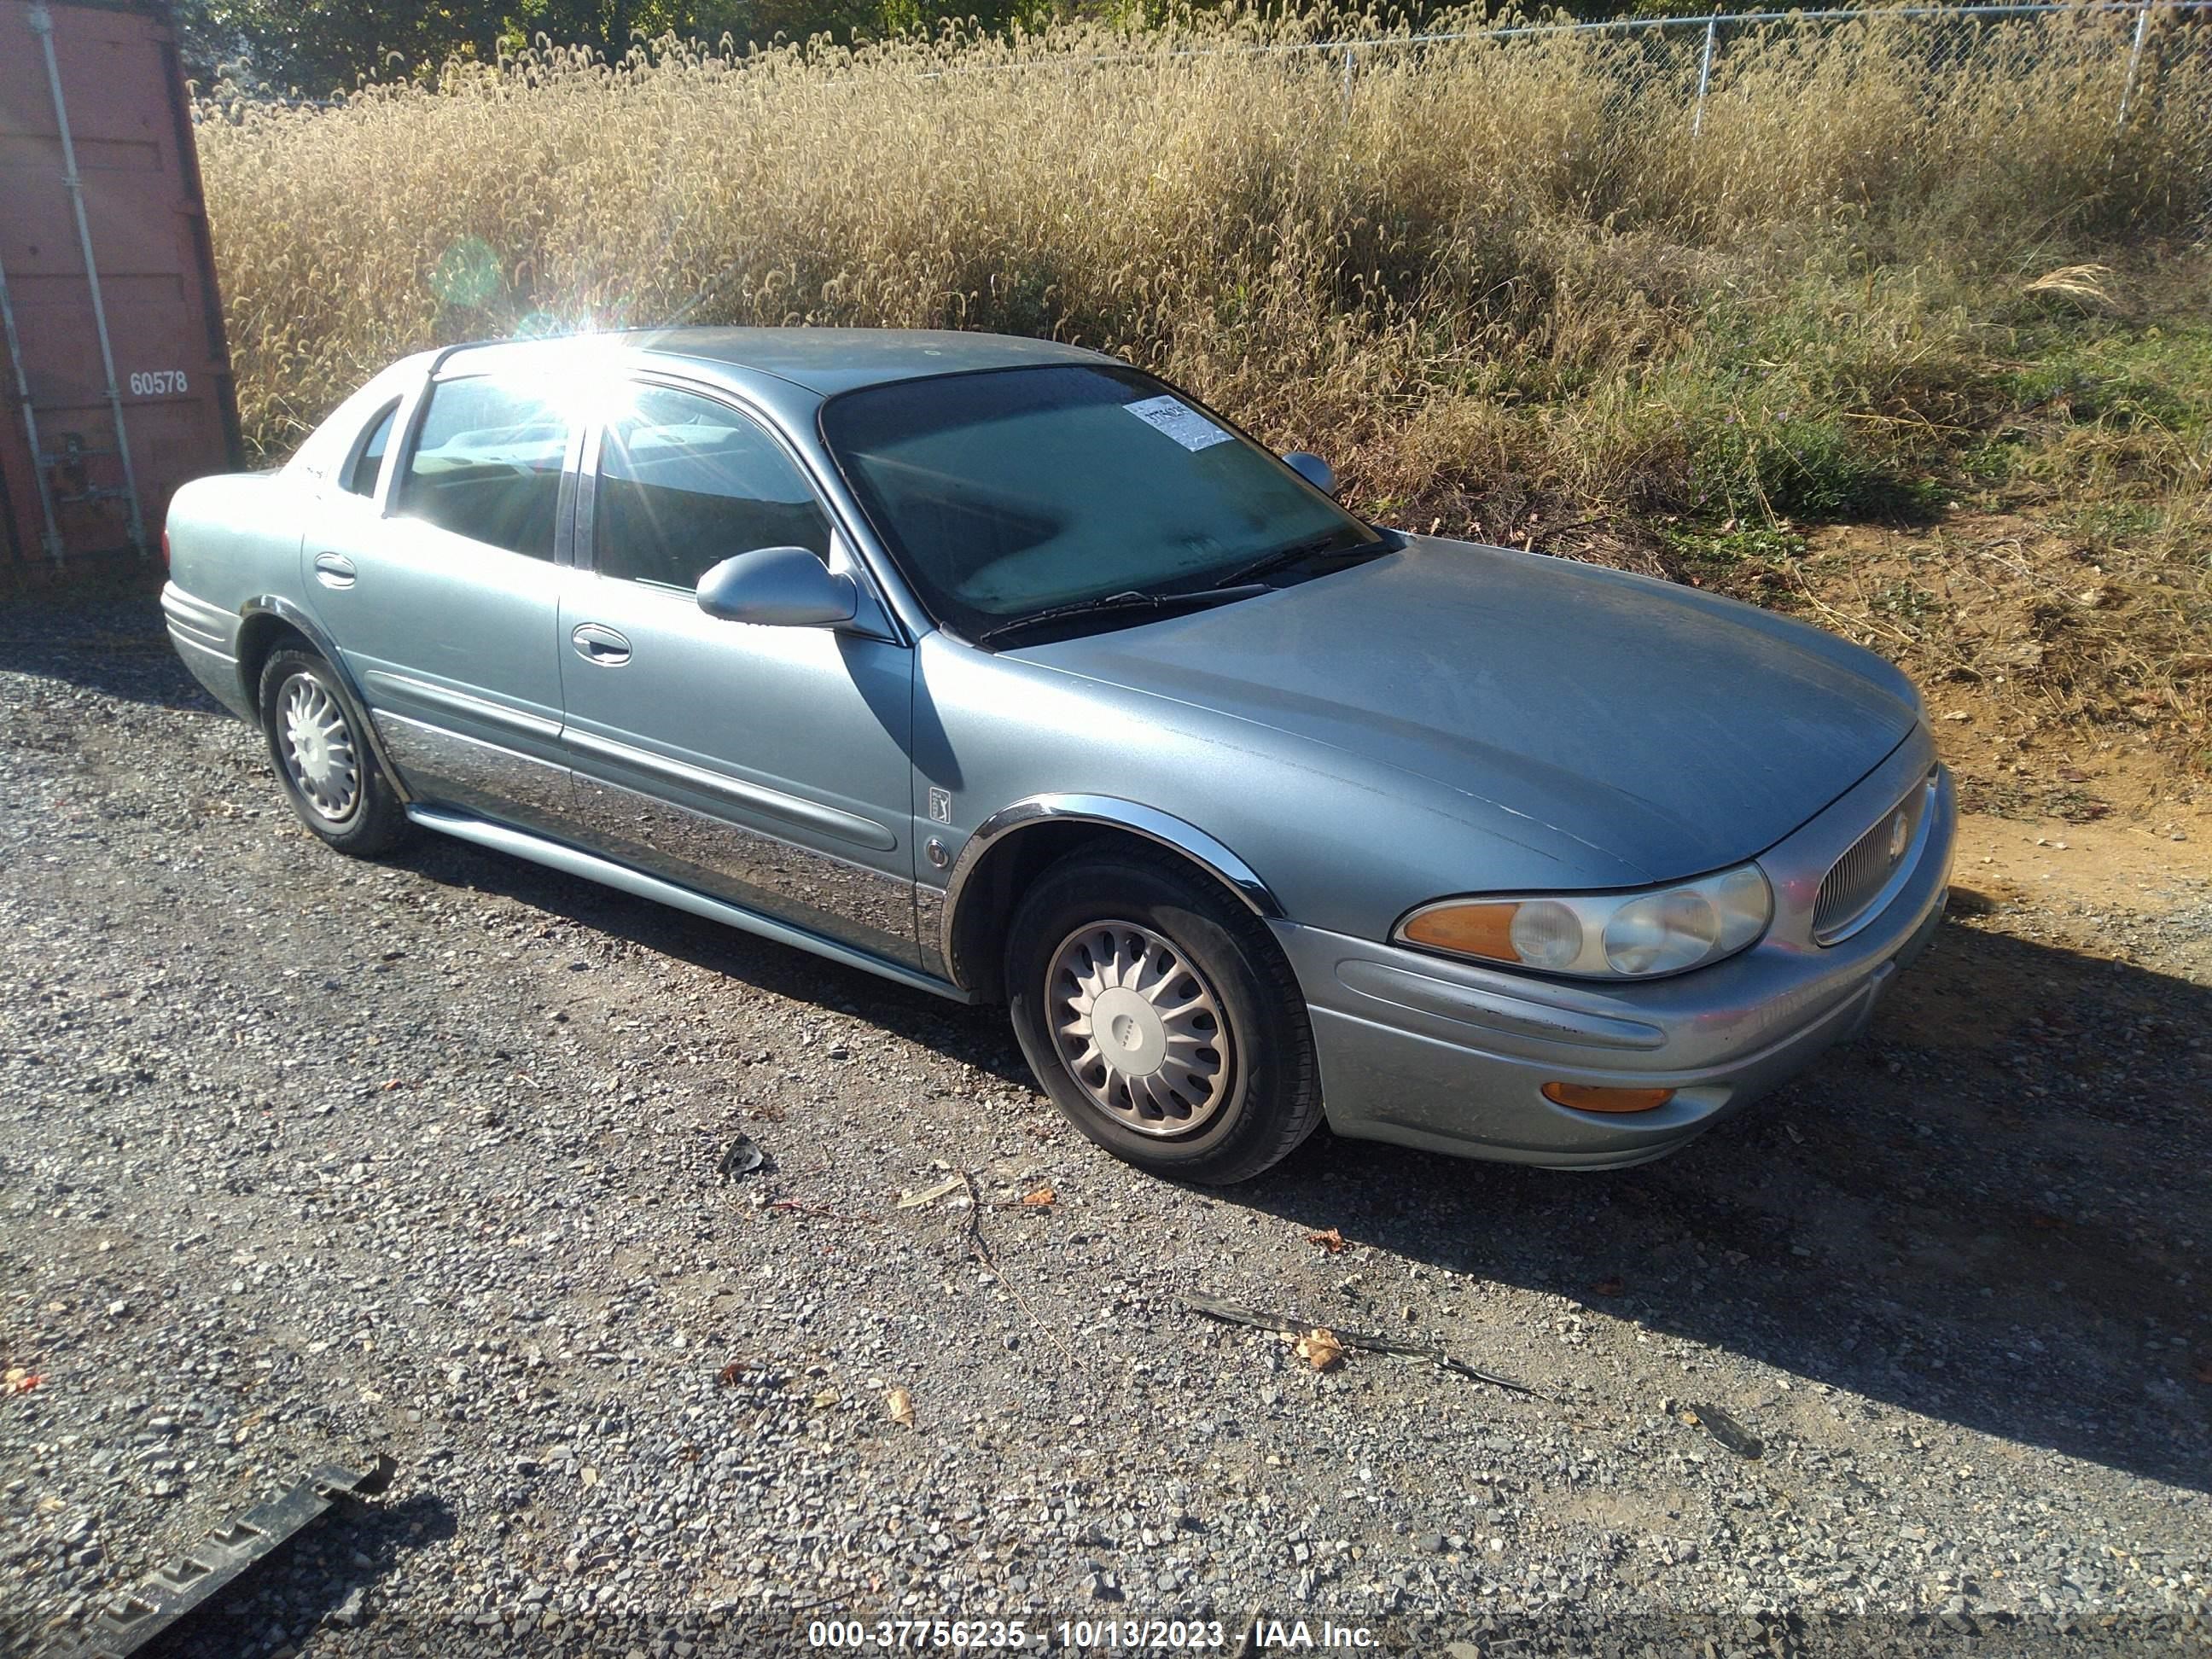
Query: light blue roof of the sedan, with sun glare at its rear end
pixel 820 359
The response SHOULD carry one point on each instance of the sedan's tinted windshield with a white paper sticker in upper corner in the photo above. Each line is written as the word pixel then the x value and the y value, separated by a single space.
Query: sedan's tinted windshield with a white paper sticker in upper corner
pixel 1012 492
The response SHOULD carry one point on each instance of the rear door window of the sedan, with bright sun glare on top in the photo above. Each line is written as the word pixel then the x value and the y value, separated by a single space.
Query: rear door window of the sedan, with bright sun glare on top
pixel 488 466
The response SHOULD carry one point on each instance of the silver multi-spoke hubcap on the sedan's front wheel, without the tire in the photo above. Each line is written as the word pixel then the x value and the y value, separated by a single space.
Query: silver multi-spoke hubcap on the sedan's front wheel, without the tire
pixel 1138 1027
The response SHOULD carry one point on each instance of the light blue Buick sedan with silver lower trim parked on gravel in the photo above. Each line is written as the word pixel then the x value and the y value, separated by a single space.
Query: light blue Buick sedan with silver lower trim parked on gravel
pixel 1012 674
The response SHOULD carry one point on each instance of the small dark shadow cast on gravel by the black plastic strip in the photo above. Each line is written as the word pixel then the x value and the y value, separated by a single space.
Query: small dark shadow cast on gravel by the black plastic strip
pixel 311 1580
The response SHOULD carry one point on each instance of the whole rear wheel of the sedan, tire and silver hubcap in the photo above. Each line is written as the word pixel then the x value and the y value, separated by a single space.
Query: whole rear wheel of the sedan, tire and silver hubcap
pixel 322 760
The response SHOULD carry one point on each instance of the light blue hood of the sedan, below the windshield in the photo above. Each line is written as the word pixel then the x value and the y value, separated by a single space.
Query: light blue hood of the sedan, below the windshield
pixel 1667 729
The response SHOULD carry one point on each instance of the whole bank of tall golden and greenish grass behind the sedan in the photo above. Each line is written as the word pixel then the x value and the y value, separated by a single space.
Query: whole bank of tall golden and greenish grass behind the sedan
pixel 1503 286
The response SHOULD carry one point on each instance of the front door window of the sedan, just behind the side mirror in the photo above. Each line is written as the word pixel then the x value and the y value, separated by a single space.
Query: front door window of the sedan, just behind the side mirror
pixel 687 483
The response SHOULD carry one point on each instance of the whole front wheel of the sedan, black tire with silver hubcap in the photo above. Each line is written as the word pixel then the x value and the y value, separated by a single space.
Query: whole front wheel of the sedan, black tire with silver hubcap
pixel 1136 954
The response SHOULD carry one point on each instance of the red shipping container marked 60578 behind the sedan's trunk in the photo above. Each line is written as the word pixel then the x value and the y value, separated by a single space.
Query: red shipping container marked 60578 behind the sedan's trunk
pixel 114 371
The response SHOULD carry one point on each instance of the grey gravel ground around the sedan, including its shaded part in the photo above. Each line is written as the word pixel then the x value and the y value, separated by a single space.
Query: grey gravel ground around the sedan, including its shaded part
pixel 306 1160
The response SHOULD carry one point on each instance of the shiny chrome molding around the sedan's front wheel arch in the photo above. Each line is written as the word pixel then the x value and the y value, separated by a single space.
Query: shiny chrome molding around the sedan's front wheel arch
pixel 1047 826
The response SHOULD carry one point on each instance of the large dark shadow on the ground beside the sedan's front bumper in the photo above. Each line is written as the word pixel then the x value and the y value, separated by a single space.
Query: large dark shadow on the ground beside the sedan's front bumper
pixel 1990 1211
